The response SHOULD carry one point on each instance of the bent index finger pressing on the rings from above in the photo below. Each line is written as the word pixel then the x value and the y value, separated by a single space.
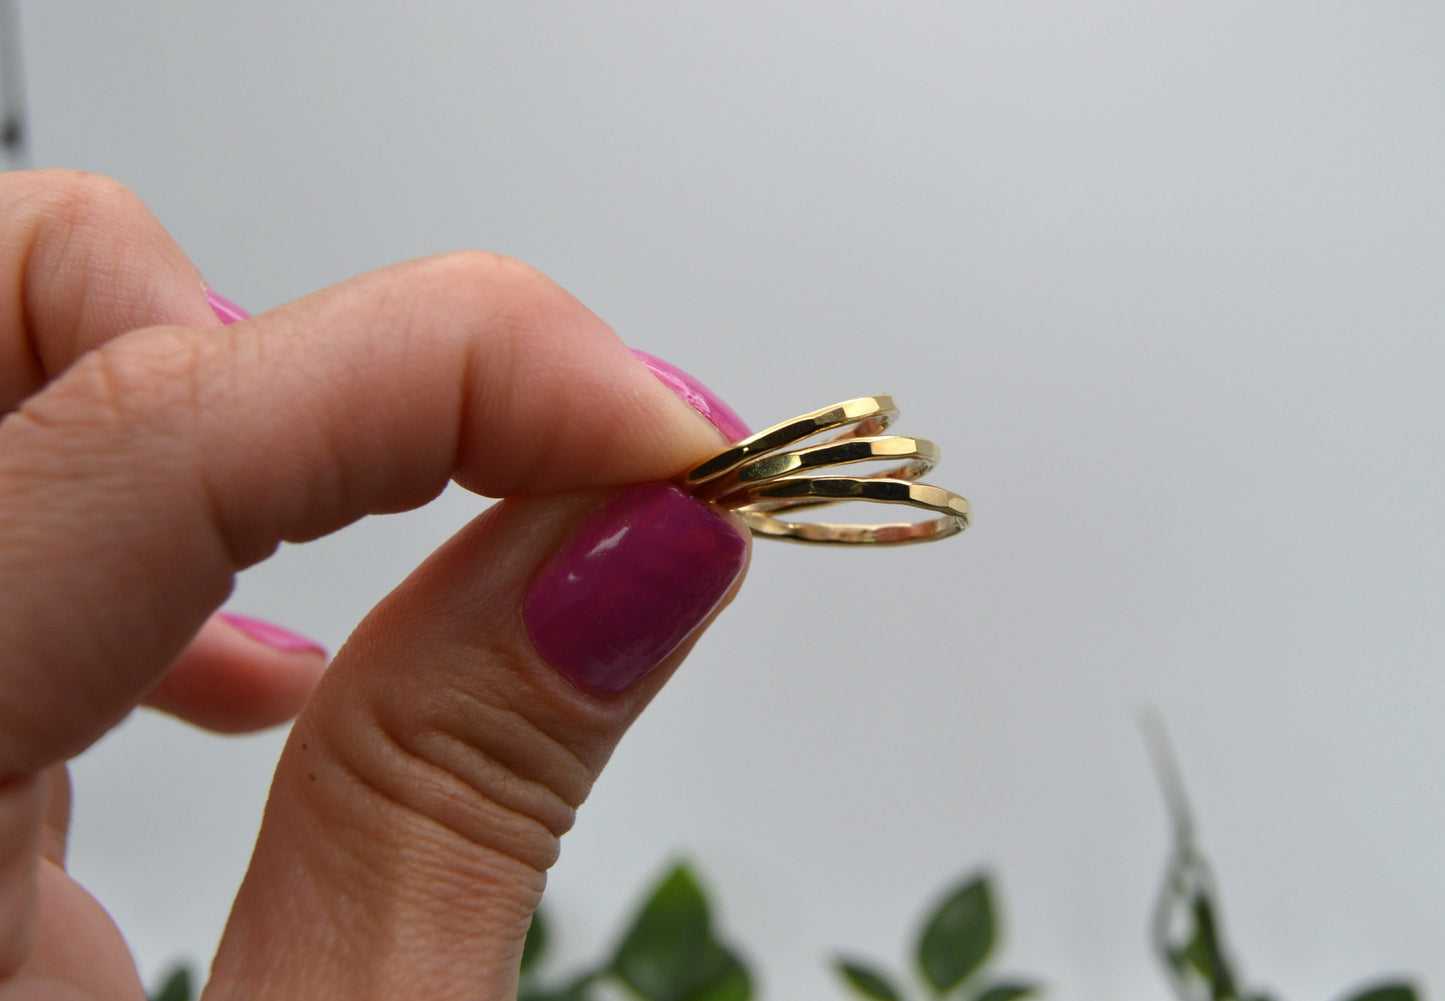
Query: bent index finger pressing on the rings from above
pixel 141 480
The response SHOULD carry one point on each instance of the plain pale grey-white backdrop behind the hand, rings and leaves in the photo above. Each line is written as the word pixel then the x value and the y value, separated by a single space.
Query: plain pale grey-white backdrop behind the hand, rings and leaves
pixel 1165 282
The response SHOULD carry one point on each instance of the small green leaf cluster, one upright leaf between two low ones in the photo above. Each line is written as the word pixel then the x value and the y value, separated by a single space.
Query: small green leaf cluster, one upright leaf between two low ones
pixel 953 948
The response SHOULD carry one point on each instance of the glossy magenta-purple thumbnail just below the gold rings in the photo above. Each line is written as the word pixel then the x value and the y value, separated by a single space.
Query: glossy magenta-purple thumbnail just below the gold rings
pixel 635 581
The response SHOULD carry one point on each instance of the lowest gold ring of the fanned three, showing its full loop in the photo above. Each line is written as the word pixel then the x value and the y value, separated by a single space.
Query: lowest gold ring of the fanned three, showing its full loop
pixel 794 492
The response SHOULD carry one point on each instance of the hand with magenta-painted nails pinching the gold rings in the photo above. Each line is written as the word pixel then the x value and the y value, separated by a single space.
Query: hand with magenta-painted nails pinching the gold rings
pixel 148 454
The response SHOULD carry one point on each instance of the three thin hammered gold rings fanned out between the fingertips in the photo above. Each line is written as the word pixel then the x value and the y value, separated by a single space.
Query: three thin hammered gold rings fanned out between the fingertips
pixel 765 477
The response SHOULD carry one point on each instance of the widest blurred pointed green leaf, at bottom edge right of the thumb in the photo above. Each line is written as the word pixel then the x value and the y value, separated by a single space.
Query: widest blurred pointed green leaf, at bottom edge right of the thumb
pixel 670 953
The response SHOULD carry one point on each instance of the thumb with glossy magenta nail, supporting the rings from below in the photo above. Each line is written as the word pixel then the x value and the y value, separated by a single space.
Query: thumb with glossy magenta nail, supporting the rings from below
pixel 423 794
